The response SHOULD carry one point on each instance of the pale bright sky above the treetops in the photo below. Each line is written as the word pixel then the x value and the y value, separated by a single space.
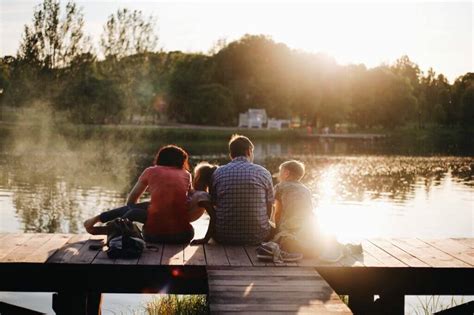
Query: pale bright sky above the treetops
pixel 432 34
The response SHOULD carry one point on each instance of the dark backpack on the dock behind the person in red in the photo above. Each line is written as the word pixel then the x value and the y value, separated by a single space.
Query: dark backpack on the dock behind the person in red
pixel 124 239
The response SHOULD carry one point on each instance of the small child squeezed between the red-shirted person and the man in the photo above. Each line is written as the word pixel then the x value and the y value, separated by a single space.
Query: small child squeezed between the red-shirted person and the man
pixel 199 199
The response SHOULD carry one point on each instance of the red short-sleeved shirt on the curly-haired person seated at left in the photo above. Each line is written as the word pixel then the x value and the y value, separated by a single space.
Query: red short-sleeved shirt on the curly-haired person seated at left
pixel 168 187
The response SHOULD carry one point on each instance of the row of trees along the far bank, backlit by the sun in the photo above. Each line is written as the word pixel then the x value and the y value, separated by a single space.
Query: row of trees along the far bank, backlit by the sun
pixel 127 77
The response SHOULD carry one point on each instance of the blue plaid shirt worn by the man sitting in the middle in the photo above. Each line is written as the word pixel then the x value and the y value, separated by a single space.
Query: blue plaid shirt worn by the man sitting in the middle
pixel 241 191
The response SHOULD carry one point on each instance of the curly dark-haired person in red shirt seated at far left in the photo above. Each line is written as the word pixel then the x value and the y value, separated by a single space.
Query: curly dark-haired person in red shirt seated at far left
pixel 166 217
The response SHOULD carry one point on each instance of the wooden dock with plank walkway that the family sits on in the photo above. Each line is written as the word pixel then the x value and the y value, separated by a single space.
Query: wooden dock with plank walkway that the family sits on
pixel 235 279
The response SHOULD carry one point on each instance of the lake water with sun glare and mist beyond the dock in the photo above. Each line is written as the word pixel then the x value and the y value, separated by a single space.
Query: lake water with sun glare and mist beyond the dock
pixel 51 182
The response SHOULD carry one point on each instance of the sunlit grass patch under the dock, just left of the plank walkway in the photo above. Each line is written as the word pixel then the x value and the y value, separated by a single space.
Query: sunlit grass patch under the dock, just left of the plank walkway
pixel 178 304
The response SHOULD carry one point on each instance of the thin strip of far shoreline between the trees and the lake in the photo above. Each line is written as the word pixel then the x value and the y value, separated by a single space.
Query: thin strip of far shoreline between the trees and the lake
pixel 223 132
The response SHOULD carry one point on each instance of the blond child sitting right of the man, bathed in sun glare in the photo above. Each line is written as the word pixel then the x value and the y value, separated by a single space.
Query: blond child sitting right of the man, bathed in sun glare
pixel 296 228
